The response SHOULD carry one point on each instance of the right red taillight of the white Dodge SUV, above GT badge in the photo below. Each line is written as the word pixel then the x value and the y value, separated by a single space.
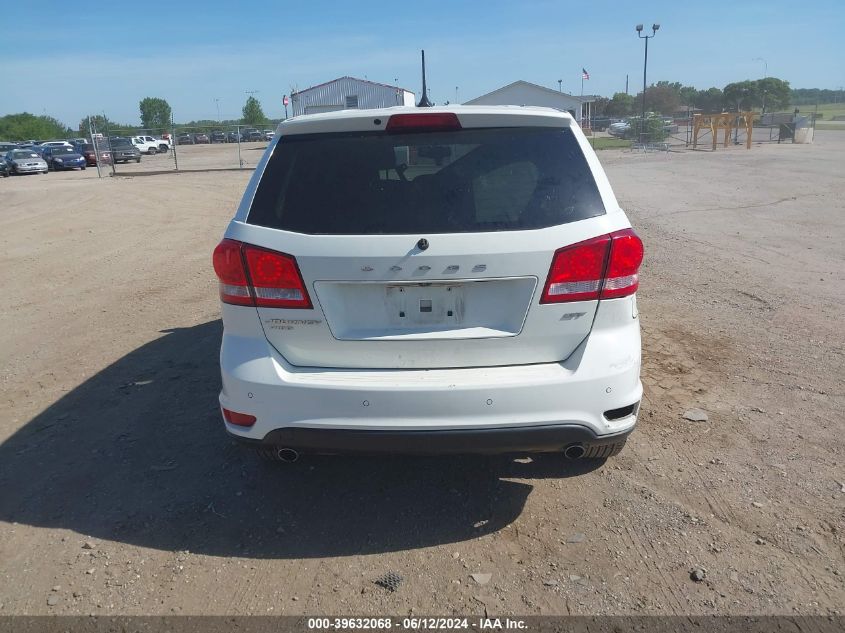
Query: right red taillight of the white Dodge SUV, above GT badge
pixel 604 267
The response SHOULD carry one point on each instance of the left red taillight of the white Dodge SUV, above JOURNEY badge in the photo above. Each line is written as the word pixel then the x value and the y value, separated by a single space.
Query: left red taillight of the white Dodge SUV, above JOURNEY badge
pixel 255 276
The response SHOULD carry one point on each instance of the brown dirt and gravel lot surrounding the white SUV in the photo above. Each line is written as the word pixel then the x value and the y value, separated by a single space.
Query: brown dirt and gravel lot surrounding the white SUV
pixel 121 493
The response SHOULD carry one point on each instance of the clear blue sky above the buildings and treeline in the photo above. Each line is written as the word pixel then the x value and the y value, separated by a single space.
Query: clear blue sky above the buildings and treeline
pixel 69 60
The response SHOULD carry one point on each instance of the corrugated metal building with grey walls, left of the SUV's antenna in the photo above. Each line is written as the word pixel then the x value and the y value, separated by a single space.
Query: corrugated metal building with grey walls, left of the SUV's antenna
pixel 347 93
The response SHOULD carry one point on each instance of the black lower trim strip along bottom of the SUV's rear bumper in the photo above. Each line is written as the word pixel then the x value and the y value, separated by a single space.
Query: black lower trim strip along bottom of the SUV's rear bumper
pixel 533 439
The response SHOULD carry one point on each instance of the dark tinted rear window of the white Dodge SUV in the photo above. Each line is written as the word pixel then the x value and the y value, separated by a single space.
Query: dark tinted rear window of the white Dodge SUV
pixel 465 181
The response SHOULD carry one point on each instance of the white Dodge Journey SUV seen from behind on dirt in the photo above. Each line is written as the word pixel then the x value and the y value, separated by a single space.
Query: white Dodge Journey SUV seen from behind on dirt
pixel 443 280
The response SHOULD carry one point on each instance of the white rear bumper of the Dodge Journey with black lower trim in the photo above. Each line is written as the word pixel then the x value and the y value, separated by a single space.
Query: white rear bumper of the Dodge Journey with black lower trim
pixel 543 407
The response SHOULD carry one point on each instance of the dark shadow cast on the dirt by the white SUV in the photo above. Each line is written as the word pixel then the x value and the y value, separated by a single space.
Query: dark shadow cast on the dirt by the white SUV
pixel 137 454
